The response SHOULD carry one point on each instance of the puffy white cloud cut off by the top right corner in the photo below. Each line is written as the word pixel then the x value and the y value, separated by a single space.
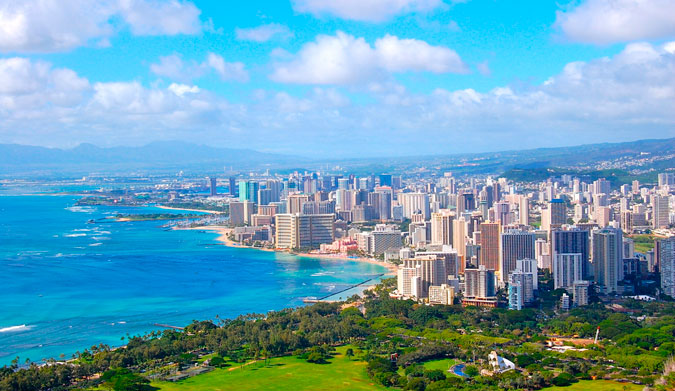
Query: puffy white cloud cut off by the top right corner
pixel 610 21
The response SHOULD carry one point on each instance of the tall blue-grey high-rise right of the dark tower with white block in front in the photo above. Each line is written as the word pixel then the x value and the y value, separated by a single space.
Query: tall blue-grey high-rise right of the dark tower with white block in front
pixel 608 259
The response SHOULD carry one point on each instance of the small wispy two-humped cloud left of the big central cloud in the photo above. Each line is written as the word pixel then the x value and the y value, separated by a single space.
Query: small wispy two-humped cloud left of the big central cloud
pixel 174 68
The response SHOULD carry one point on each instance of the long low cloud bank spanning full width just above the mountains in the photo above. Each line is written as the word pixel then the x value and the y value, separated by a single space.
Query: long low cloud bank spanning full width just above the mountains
pixel 626 96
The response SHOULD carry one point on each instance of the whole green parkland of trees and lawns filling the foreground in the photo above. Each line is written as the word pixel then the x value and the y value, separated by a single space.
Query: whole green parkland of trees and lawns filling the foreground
pixel 395 344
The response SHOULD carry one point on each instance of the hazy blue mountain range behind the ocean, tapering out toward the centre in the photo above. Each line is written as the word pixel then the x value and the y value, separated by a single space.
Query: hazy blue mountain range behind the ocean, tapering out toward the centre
pixel 154 156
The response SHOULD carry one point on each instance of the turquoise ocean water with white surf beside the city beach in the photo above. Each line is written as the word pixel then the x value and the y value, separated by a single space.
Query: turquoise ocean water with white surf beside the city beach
pixel 67 285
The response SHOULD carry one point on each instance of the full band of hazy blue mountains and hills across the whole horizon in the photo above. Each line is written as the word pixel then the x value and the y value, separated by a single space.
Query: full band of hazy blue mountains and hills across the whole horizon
pixel 175 155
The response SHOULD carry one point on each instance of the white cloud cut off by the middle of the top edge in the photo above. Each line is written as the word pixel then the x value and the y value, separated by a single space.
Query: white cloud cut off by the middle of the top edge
pixel 365 10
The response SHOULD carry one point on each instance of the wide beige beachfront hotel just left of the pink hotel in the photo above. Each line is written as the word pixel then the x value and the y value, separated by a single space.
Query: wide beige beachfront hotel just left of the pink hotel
pixel 304 231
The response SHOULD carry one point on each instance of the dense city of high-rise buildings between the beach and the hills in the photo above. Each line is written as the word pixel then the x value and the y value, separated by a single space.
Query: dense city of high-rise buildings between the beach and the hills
pixel 472 238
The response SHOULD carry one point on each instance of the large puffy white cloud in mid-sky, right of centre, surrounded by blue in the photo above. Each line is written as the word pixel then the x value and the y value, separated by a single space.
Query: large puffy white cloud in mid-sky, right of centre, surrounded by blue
pixel 344 59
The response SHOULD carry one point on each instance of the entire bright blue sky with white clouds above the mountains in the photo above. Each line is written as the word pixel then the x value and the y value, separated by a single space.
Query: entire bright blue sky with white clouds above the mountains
pixel 345 78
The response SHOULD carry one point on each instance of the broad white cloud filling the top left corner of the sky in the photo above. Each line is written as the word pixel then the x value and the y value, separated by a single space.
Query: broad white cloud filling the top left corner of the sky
pixel 61 25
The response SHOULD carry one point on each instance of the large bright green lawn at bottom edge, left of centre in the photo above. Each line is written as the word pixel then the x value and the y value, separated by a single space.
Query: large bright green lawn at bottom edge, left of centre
pixel 285 373
